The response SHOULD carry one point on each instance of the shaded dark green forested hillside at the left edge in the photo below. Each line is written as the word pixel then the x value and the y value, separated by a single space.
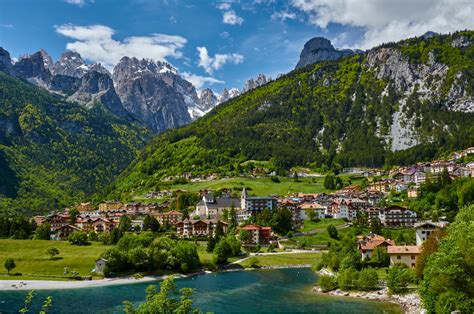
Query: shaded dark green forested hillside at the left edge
pixel 54 153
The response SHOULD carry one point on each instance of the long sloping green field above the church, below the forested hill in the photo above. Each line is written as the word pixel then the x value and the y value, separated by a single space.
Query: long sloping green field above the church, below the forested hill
pixel 263 186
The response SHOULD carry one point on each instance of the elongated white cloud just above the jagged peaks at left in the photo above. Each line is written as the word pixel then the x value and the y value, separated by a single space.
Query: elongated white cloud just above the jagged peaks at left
pixel 95 43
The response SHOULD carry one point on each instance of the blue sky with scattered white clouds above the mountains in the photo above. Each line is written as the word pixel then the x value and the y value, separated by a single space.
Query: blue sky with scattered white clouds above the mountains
pixel 219 43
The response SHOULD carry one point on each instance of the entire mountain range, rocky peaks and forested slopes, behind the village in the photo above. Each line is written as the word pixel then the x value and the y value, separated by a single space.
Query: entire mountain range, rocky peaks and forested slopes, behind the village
pixel 68 129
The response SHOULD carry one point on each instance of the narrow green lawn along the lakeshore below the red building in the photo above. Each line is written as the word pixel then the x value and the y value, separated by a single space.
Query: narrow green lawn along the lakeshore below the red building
pixel 283 259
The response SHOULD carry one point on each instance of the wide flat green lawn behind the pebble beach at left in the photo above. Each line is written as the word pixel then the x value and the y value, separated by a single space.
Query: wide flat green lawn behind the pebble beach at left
pixel 32 261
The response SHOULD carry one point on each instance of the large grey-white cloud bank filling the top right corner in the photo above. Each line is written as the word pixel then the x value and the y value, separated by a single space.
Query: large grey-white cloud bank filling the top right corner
pixel 388 20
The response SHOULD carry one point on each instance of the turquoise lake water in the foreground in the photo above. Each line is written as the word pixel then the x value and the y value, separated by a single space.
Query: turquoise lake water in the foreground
pixel 263 291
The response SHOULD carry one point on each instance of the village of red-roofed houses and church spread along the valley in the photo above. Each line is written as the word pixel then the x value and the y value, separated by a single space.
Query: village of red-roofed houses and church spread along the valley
pixel 212 211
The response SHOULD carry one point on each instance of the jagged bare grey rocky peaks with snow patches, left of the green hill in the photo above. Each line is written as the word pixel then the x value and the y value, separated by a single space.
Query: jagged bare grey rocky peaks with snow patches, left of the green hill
pixel 148 91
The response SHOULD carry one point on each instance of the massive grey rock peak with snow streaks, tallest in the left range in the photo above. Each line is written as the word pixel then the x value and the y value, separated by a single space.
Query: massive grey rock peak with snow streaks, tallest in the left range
pixel 153 92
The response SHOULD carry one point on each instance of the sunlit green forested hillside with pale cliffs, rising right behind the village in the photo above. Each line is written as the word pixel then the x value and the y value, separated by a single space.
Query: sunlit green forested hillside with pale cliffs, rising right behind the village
pixel 395 104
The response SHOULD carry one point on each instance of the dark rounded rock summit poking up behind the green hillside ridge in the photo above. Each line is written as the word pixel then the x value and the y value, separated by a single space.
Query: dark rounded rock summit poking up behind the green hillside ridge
pixel 320 49
